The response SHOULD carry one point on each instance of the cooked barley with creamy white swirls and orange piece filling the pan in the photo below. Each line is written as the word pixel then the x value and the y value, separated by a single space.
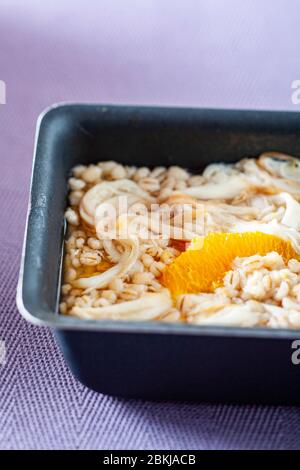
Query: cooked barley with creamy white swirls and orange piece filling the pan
pixel 221 247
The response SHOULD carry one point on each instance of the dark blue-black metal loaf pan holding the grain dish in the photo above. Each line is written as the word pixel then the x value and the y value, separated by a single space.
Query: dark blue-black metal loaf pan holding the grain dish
pixel 151 360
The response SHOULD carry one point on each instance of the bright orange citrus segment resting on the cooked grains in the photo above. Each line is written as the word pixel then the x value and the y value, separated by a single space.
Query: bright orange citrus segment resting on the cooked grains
pixel 203 266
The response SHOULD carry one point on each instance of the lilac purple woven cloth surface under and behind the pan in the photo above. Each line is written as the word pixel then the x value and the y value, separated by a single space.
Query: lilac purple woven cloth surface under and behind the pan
pixel 200 53
